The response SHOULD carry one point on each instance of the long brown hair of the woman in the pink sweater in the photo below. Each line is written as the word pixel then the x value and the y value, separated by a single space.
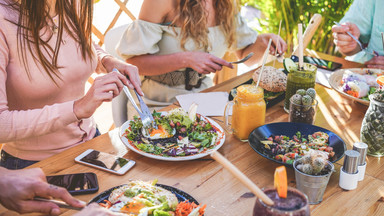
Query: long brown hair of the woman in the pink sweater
pixel 74 16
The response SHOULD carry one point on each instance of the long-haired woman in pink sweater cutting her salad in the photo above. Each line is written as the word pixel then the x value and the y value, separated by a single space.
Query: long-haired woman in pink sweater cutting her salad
pixel 46 58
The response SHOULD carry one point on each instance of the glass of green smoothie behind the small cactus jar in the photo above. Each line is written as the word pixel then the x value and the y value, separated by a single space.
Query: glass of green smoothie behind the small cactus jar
pixel 299 79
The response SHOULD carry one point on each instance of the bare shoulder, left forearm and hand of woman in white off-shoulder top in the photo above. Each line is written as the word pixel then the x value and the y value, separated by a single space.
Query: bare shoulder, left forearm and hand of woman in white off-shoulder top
pixel 157 11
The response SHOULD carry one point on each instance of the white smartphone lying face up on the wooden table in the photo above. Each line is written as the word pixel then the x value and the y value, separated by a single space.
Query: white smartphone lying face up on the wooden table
pixel 105 161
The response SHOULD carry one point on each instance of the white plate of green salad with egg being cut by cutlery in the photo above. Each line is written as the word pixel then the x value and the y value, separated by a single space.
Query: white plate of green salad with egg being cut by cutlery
pixel 180 136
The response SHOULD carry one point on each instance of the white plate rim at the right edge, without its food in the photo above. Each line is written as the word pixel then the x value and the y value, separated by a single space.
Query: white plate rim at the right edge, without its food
pixel 337 76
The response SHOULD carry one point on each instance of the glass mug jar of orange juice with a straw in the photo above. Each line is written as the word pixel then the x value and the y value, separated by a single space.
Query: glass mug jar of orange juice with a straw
pixel 248 111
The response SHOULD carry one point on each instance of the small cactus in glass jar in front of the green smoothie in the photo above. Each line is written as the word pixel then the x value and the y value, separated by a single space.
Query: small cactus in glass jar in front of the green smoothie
pixel 303 106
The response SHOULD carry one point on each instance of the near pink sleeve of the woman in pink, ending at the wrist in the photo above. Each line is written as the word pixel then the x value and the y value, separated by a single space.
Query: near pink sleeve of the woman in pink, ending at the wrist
pixel 19 124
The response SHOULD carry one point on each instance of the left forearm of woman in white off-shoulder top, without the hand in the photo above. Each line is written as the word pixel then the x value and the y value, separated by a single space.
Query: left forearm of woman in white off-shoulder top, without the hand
pixel 151 65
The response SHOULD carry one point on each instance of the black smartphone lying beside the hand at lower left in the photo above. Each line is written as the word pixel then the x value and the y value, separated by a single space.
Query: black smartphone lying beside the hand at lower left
pixel 76 184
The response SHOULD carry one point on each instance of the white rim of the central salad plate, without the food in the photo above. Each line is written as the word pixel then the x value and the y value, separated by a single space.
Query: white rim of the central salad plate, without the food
pixel 219 142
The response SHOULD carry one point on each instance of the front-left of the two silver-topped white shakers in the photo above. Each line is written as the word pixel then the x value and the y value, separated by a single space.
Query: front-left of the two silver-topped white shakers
pixel 349 174
